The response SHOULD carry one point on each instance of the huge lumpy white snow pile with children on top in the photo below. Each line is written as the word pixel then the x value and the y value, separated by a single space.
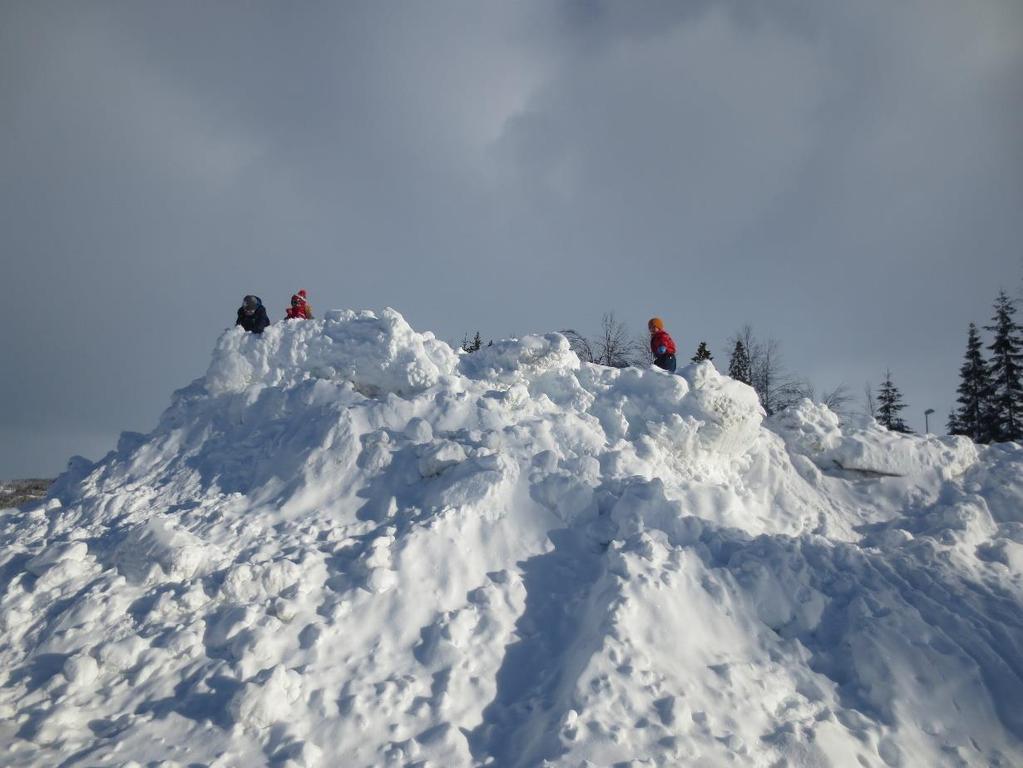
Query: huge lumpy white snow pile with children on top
pixel 349 546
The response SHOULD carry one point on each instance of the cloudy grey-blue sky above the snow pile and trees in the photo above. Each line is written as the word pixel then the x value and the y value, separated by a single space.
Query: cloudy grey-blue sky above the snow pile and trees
pixel 846 177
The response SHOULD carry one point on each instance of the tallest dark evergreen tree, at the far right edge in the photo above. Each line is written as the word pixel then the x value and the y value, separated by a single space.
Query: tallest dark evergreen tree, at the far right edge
pixel 1006 372
